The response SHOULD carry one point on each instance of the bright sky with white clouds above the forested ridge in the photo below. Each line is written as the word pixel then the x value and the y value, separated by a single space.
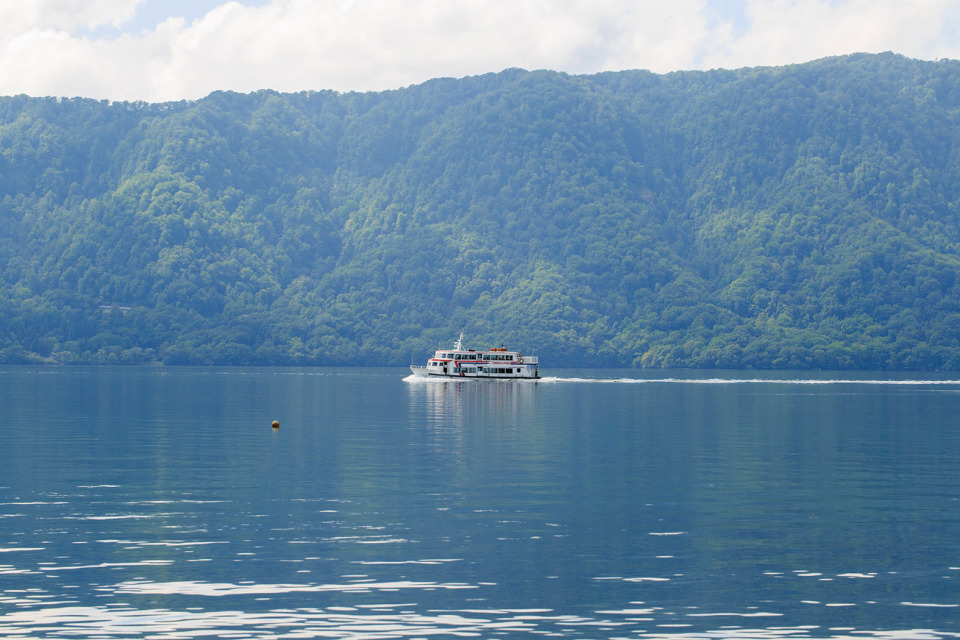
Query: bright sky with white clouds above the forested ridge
pixel 161 50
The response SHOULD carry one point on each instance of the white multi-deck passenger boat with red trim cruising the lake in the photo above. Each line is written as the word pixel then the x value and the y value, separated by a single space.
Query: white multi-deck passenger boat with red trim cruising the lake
pixel 461 362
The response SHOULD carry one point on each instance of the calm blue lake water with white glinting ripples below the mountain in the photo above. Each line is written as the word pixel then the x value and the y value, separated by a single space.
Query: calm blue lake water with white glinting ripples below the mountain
pixel 159 503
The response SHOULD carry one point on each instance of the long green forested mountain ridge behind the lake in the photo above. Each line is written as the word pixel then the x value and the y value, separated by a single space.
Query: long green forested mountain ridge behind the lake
pixel 800 216
